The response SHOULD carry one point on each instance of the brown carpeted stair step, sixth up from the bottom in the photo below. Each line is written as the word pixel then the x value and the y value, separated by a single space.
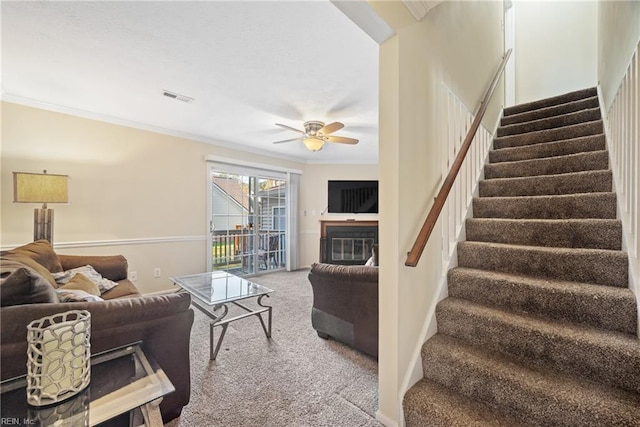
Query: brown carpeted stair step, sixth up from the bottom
pixel 566 233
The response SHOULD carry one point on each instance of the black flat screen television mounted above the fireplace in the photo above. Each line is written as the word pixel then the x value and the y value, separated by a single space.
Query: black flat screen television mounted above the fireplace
pixel 353 197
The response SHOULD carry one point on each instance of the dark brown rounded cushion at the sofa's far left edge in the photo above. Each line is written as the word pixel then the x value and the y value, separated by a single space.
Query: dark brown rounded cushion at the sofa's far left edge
pixel 22 285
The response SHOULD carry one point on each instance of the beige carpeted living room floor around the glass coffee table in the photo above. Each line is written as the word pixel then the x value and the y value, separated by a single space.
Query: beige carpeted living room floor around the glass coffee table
pixel 294 379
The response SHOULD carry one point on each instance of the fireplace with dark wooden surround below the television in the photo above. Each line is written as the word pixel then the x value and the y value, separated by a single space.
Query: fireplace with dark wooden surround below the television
pixel 347 242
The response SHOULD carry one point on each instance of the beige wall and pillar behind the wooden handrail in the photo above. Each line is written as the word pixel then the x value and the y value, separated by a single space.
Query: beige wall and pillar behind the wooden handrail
pixel 461 44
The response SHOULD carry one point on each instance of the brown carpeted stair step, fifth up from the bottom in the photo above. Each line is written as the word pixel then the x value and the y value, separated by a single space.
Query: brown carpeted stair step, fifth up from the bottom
pixel 595 266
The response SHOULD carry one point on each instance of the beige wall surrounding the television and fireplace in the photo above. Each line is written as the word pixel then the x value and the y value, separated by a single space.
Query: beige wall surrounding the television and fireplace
pixel 313 203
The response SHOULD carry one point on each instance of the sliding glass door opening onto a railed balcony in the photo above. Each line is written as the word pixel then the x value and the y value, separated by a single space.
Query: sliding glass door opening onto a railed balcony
pixel 248 220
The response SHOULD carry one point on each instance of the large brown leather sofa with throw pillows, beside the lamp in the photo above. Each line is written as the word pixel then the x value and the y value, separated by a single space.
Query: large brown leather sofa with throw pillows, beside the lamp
pixel 163 323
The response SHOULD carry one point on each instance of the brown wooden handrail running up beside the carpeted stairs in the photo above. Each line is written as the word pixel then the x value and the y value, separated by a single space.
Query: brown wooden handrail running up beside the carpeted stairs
pixel 421 240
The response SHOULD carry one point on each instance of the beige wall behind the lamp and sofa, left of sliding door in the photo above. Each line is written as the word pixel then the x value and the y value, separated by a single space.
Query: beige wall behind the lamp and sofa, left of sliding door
pixel 134 192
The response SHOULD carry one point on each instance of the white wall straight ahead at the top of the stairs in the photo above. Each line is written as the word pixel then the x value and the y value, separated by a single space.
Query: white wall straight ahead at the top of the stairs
pixel 556 47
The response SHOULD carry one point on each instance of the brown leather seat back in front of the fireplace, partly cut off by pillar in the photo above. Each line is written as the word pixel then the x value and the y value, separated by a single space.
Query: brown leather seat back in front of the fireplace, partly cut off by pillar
pixel 345 304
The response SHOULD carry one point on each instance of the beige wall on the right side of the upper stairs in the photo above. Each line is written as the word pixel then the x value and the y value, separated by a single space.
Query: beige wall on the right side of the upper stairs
pixel 618 35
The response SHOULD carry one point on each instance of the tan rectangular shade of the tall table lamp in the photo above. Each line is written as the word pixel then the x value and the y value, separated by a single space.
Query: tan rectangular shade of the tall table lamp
pixel 40 188
